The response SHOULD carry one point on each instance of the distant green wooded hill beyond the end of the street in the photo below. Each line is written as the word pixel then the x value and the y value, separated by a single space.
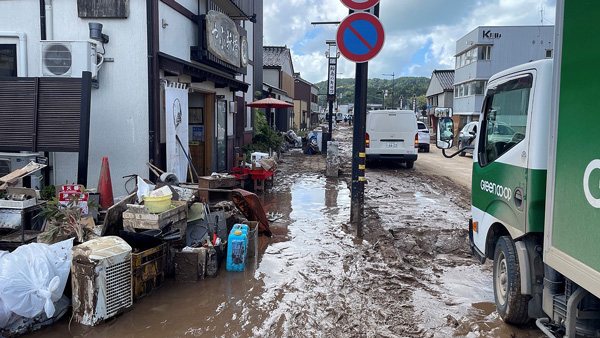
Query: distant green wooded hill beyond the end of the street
pixel 404 86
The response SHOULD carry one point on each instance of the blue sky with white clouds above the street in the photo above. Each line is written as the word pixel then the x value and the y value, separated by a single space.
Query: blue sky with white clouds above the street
pixel 420 35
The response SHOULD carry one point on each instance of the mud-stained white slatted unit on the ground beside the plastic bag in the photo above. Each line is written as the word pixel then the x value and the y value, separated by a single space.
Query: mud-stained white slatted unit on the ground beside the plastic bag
pixel 101 279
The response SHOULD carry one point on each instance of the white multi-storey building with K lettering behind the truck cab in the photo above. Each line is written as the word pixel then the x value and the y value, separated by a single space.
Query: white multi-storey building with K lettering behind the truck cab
pixel 490 49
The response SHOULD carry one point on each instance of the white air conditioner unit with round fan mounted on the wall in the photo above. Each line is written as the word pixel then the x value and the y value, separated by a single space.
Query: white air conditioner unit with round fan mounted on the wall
pixel 68 58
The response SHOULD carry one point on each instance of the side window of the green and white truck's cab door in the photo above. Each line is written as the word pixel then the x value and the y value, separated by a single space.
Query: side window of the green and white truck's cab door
pixel 505 118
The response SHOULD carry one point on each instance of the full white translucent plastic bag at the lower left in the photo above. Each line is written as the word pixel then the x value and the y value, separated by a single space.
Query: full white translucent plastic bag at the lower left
pixel 34 276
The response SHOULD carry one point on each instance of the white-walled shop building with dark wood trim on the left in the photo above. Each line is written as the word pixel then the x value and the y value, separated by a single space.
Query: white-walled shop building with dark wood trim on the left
pixel 206 51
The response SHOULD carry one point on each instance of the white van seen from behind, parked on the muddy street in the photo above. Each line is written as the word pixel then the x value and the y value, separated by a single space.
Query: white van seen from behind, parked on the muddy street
pixel 392 135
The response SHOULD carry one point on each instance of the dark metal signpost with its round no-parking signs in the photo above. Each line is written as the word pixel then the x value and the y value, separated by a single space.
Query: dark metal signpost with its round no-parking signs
pixel 360 38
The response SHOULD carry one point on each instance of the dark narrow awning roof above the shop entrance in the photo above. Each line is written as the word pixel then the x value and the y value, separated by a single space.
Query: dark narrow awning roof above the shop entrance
pixel 200 73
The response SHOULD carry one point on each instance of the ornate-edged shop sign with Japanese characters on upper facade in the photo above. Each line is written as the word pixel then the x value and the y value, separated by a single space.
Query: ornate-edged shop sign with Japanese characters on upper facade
pixel 223 38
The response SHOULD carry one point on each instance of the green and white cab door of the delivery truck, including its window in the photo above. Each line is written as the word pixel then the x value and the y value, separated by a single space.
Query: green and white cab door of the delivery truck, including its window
pixel 500 158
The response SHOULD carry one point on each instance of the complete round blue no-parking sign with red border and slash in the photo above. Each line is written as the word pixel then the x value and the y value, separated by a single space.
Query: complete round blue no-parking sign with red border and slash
pixel 360 37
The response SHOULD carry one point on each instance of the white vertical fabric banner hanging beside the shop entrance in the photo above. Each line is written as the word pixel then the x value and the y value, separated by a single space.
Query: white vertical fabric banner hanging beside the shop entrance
pixel 176 110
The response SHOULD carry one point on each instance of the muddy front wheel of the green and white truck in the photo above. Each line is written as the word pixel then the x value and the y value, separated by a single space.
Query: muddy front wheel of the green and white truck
pixel 511 304
